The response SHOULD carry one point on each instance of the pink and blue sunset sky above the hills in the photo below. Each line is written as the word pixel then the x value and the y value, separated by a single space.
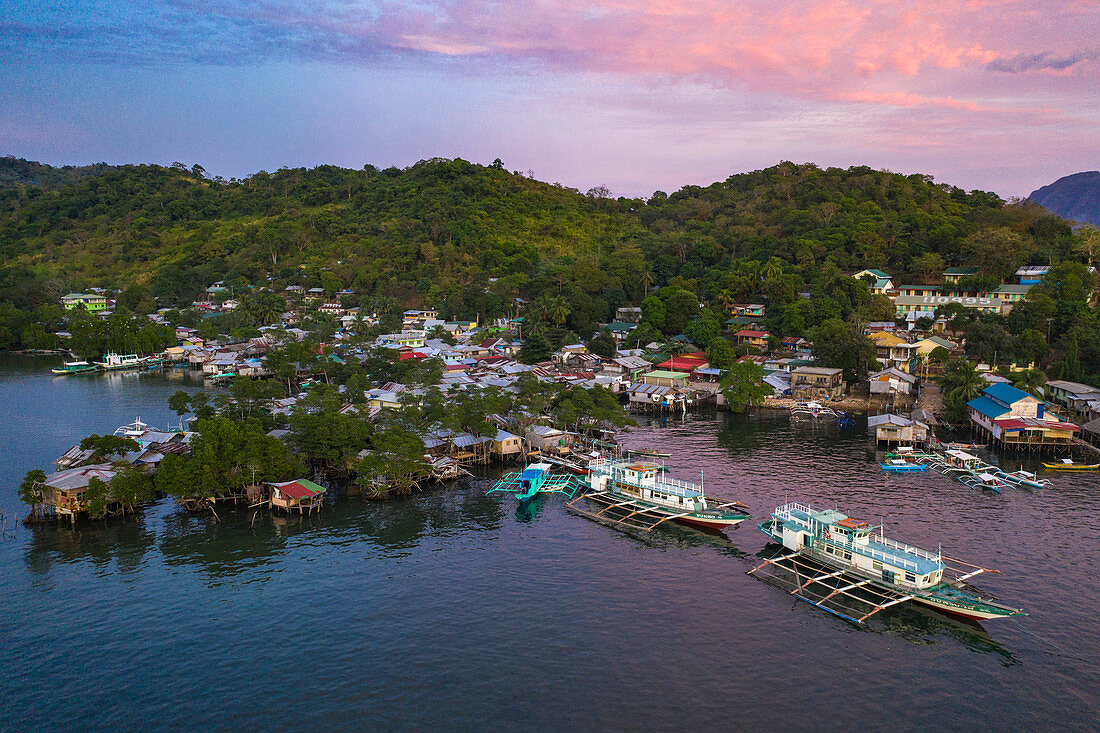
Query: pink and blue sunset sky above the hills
pixel 1000 95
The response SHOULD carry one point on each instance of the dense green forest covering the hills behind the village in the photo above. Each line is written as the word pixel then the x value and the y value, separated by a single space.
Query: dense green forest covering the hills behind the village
pixel 471 239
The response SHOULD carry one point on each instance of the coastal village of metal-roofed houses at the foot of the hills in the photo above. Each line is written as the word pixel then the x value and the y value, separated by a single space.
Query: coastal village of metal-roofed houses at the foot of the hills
pixel 899 395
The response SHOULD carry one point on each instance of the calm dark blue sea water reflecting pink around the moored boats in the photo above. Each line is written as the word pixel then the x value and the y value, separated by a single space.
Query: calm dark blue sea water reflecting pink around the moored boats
pixel 458 611
